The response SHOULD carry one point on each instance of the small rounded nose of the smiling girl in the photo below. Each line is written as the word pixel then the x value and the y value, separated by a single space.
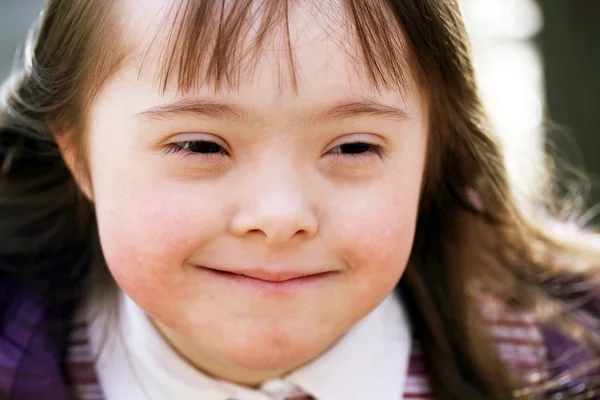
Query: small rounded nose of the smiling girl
pixel 274 204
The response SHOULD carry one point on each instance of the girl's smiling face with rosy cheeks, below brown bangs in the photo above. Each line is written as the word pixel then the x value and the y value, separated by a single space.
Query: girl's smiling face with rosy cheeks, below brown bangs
pixel 256 226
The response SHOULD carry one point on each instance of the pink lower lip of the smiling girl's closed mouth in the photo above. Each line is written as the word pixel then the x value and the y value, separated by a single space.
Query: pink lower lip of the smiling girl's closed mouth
pixel 270 286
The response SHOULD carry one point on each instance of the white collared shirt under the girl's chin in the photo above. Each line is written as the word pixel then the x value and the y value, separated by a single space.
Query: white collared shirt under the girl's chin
pixel 135 363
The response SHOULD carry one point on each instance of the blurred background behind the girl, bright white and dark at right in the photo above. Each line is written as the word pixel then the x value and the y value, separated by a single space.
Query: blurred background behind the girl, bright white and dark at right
pixel 538 63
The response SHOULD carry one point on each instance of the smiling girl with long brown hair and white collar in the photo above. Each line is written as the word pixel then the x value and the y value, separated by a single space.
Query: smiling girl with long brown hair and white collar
pixel 274 199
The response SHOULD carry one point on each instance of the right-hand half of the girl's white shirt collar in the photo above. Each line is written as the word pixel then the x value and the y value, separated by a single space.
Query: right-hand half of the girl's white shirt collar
pixel 370 361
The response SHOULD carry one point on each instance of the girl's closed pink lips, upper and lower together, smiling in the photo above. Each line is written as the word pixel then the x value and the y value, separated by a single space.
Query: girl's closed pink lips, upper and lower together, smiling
pixel 273 281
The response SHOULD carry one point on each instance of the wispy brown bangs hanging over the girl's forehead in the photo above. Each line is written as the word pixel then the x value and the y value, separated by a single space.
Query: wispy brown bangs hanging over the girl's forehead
pixel 219 42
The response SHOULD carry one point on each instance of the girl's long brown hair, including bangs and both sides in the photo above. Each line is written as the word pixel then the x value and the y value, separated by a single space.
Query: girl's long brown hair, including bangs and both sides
pixel 472 235
